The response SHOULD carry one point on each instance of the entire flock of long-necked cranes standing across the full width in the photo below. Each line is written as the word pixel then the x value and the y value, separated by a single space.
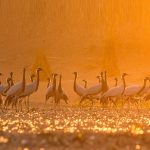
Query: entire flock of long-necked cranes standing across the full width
pixel 13 94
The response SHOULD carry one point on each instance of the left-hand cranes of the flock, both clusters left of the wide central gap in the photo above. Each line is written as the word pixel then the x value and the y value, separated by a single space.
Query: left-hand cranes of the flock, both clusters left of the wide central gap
pixel 16 93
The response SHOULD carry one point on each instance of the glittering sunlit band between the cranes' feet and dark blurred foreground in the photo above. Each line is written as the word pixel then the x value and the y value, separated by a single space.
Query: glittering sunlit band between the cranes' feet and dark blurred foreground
pixel 75 120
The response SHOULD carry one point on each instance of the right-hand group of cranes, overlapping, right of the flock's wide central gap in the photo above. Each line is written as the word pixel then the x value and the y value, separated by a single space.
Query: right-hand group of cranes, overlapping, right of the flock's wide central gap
pixel 106 94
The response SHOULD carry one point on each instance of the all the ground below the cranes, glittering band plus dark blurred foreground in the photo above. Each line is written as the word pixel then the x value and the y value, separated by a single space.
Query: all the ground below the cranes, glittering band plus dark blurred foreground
pixel 73 128
